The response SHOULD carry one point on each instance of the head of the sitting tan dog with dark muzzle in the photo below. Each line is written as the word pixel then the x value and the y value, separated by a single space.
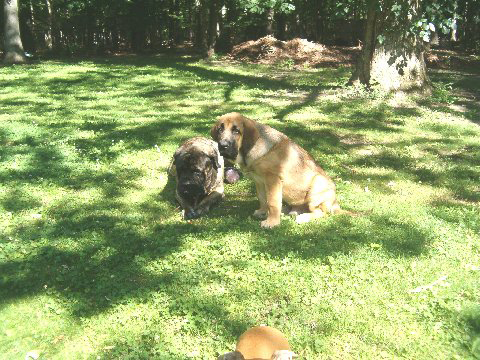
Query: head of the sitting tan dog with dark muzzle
pixel 235 134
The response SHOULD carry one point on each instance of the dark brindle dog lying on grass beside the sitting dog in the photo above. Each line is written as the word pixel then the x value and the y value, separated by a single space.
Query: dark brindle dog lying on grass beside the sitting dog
pixel 198 168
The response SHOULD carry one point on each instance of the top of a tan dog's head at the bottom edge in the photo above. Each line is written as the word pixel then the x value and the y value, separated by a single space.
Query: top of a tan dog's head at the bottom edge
pixel 260 343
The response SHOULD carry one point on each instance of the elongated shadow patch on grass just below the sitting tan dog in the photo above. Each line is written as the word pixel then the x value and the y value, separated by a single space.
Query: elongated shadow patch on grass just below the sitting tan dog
pixel 342 234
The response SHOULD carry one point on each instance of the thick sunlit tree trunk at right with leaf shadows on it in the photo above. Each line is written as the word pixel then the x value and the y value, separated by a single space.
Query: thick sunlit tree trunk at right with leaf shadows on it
pixel 389 57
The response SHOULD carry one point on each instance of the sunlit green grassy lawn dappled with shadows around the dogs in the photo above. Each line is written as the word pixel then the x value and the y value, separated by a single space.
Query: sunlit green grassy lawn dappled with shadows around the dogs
pixel 96 262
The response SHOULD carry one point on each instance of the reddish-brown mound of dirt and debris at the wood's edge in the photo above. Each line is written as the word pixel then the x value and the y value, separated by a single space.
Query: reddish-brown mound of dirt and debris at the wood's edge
pixel 301 52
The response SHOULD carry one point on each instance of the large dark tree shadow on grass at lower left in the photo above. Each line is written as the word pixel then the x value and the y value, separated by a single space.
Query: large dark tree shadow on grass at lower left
pixel 105 269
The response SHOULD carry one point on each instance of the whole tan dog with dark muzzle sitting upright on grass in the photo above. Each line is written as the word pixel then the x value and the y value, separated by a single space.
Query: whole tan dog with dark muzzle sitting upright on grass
pixel 281 169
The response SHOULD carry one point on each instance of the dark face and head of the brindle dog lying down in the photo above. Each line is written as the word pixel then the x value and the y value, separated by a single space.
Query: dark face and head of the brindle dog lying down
pixel 196 172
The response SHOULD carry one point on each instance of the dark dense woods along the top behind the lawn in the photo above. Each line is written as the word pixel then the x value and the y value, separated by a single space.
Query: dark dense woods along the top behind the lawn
pixel 98 27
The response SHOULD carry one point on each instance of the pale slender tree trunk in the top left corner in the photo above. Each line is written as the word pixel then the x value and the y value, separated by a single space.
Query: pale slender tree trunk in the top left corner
pixel 14 53
